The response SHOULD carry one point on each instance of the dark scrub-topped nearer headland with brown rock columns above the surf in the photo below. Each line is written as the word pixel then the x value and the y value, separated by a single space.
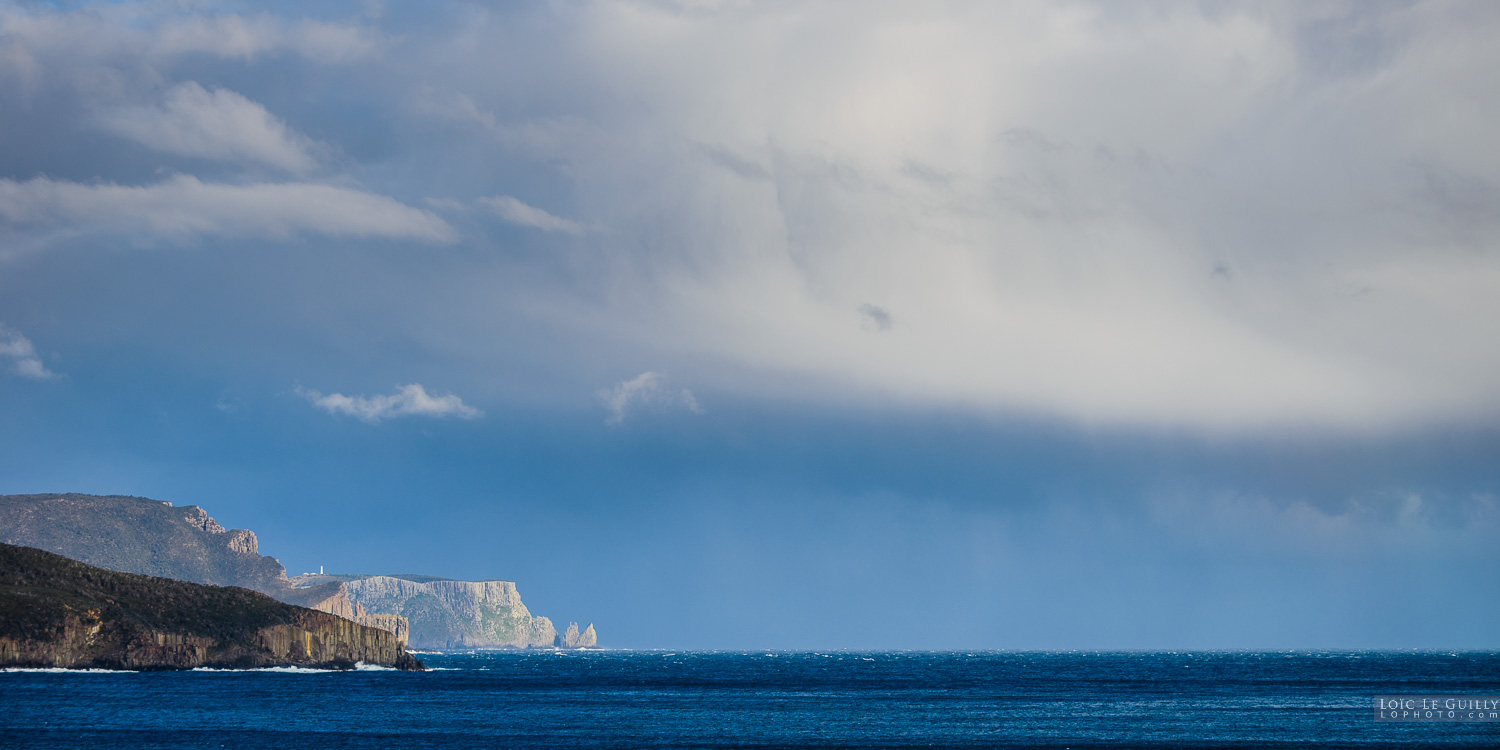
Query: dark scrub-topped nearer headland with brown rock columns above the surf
pixel 59 613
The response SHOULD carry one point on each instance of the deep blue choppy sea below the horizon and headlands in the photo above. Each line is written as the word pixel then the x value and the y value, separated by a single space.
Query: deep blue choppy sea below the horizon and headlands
pixel 764 700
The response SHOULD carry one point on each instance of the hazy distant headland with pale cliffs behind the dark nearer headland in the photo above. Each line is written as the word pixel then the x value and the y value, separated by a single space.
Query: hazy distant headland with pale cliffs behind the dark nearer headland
pixel 154 538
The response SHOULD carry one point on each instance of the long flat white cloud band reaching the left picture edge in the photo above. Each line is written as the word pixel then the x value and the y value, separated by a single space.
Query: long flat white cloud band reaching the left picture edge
pixel 184 206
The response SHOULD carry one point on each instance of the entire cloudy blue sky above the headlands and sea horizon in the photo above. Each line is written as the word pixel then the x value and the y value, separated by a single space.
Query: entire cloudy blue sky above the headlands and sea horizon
pixel 731 325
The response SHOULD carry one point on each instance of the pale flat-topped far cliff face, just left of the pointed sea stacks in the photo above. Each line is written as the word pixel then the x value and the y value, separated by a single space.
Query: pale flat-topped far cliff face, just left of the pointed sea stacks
pixel 448 614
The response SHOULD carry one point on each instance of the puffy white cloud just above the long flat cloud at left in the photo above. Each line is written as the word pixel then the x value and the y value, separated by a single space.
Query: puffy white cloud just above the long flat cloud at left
pixel 214 124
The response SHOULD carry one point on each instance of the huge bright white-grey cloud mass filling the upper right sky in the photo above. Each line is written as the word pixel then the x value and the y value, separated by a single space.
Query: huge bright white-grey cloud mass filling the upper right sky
pixel 1040 196
